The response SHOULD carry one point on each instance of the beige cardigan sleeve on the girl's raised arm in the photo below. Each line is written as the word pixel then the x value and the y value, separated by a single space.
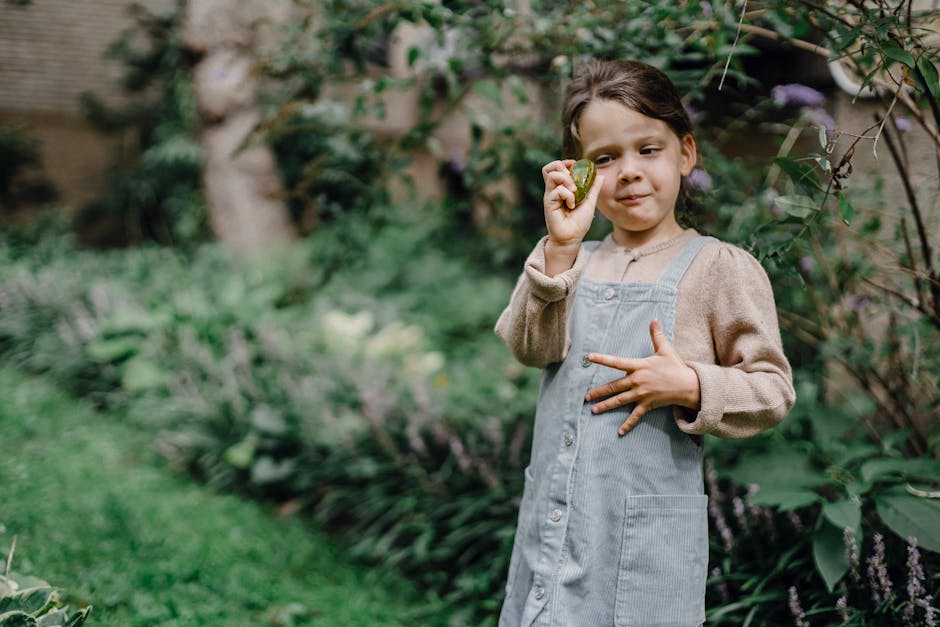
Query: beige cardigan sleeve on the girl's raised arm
pixel 534 324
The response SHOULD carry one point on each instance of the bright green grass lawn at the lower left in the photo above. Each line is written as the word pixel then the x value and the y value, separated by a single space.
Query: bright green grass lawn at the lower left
pixel 95 515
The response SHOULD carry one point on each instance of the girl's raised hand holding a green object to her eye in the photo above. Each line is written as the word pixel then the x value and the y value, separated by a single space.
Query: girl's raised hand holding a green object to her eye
pixel 567 224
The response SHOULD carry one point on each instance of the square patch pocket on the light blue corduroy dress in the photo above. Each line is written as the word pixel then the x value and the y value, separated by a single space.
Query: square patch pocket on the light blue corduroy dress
pixel 663 562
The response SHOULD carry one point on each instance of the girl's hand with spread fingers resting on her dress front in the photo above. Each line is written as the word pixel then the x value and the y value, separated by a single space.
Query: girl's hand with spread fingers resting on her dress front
pixel 661 379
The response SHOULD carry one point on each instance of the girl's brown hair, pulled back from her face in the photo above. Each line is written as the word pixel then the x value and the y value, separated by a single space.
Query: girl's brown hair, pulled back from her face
pixel 636 85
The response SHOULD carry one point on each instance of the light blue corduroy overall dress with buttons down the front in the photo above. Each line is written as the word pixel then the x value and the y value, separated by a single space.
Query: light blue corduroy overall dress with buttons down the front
pixel 612 530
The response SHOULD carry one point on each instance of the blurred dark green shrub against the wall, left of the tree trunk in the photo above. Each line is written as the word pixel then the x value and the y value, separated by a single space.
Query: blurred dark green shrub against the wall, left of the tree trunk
pixel 155 191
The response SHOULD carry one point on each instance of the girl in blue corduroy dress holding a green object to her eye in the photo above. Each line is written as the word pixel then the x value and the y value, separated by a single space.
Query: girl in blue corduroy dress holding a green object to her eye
pixel 649 339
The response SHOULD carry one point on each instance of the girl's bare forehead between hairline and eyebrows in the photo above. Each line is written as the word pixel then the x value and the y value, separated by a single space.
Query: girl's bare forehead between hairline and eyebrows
pixel 604 121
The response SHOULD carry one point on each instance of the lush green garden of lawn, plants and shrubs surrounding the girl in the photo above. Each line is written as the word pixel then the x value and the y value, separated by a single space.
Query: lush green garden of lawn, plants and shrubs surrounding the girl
pixel 184 418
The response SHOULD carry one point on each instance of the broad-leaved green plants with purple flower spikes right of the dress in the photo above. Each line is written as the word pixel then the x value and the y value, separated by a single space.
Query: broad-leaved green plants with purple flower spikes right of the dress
pixel 817 497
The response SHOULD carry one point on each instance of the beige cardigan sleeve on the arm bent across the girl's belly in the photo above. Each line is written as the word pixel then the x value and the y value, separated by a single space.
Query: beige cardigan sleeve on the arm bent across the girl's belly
pixel 749 388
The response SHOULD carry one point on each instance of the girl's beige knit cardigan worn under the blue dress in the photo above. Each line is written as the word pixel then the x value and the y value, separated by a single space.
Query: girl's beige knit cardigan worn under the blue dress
pixel 726 327
